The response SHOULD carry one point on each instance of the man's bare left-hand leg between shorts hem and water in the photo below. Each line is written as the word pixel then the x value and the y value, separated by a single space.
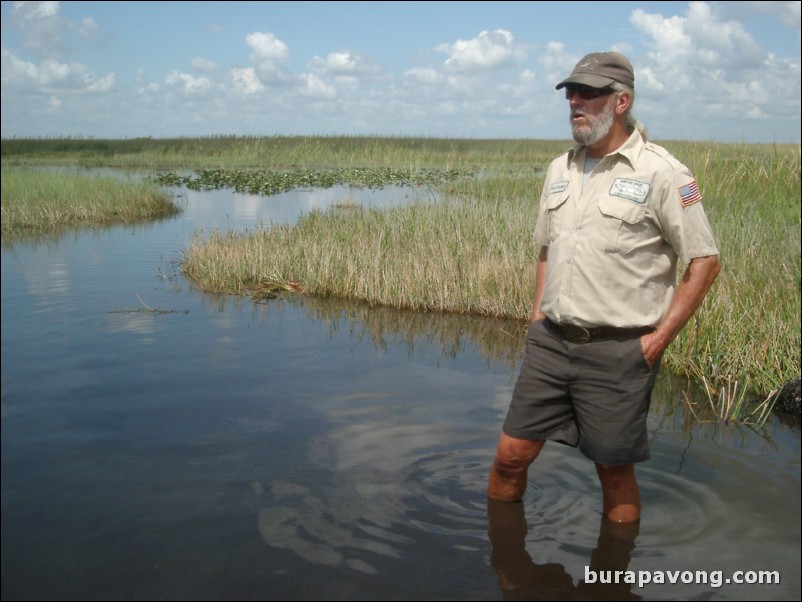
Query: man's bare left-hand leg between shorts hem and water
pixel 507 480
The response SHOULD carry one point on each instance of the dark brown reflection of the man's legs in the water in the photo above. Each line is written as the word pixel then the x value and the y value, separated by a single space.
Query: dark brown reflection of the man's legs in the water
pixel 520 578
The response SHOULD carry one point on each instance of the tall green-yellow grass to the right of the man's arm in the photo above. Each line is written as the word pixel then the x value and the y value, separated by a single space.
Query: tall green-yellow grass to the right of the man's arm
pixel 748 330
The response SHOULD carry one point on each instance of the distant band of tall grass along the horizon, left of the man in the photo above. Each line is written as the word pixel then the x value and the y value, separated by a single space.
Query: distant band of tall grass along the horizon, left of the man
pixel 282 152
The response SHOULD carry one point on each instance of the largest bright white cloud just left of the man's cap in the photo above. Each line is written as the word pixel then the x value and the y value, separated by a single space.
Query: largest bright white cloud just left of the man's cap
pixel 488 50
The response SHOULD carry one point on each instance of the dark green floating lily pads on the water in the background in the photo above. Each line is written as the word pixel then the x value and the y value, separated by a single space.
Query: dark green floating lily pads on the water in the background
pixel 269 182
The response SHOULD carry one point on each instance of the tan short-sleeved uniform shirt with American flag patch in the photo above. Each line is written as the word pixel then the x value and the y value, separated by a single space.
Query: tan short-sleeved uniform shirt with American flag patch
pixel 613 247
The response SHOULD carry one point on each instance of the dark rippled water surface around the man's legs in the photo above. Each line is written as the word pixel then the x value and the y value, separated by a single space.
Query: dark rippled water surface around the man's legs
pixel 161 443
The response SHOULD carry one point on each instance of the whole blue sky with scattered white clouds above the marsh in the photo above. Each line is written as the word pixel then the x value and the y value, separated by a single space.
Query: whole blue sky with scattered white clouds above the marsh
pixel 716 71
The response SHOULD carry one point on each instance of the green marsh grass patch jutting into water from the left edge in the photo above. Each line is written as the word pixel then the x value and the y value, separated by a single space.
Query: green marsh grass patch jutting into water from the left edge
pixel 35 202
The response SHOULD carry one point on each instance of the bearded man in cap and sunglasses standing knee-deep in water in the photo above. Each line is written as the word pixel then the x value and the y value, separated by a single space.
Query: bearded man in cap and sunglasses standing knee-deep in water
pixel 617 213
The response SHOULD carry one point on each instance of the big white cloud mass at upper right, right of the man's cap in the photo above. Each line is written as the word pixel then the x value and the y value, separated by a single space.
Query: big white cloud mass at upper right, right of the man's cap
pixel 705 65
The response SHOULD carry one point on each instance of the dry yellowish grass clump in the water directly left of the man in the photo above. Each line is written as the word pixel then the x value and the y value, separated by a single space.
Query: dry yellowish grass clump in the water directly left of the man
pixel 466 254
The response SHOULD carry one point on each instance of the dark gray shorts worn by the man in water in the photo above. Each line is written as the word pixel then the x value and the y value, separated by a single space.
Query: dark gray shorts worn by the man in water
pixel 594 396
